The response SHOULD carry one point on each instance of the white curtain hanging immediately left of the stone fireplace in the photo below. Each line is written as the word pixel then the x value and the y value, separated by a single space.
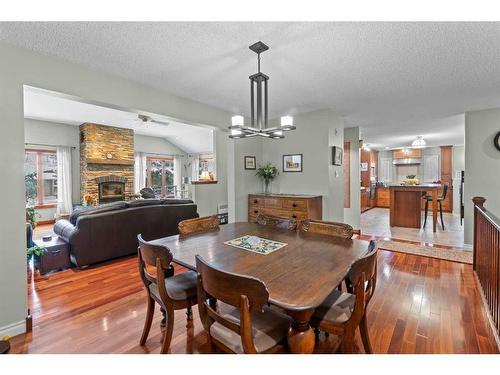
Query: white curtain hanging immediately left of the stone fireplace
pixel 64 189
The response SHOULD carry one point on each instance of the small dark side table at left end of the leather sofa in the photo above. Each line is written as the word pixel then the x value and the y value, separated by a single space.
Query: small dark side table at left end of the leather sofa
pixel 56 257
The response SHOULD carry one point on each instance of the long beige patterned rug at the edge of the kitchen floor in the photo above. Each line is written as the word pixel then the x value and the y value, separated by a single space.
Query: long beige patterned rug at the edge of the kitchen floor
pixel 461 256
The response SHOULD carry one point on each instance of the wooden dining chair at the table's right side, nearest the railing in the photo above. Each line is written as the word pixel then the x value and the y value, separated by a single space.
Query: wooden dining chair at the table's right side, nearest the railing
pixel 343 312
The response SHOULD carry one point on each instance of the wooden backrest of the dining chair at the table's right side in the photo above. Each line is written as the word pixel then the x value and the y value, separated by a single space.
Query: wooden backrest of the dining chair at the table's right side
pixel 366 266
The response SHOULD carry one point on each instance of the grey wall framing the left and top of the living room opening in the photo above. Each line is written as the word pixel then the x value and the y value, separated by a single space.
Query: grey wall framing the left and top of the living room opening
pixel 20 67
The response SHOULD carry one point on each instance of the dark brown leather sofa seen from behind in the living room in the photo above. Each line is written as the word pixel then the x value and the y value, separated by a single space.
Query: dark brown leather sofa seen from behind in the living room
pixel 110 231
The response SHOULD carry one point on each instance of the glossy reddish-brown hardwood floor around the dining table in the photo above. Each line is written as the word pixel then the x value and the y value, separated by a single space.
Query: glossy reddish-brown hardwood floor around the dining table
pixel 421 305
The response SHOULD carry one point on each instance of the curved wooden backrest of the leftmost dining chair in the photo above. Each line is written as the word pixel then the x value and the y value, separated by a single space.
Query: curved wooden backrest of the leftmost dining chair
pixel 154 256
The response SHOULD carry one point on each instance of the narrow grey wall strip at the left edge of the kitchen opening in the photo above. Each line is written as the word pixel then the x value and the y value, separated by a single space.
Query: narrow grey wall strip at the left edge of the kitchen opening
pixel 352 215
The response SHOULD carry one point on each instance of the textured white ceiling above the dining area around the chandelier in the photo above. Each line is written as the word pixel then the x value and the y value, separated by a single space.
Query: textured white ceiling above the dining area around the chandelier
pixel 387 78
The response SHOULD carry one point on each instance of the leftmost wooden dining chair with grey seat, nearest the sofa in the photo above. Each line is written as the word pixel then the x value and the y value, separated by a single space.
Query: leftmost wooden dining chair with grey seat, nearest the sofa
pixel 175 293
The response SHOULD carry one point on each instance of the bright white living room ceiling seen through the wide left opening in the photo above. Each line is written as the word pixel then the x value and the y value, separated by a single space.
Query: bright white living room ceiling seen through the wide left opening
pixel 44 106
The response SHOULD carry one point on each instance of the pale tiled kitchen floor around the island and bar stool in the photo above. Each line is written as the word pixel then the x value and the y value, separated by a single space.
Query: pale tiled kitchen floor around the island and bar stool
pixel 376 222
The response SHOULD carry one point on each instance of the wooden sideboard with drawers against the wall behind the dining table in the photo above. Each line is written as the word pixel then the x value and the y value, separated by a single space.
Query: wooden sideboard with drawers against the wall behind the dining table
pixel 298 207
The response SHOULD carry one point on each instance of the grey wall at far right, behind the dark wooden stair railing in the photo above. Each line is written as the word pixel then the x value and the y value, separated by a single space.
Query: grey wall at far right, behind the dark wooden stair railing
pixel 482 164
